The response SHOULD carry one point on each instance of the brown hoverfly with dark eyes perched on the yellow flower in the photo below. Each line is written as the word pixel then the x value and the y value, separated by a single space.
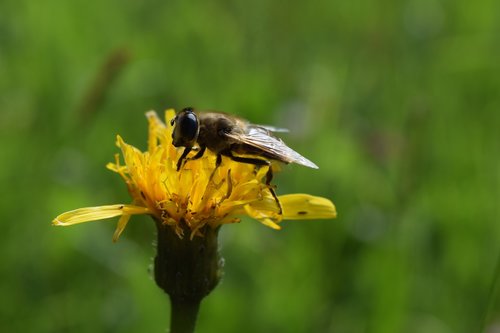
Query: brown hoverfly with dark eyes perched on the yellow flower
pixel 230 136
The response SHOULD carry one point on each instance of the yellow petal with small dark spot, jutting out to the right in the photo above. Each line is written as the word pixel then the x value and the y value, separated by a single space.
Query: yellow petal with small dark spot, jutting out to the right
pixel 306 207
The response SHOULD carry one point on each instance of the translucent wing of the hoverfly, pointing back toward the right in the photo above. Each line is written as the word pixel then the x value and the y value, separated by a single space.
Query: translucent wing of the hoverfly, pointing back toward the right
pixel 259 137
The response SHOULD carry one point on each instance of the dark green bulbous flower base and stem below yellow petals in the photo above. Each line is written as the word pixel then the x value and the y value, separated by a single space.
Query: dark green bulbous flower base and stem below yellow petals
pixel 187 269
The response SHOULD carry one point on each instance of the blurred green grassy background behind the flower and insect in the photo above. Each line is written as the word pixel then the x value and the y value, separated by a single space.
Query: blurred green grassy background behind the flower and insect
pixel 397 101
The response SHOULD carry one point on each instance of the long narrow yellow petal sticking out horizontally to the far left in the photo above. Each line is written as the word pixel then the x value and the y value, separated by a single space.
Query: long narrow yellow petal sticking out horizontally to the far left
pixel 88 214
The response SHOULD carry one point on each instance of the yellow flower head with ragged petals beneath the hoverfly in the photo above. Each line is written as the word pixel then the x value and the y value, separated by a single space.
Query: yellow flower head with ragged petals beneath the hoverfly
pixel 197 195
